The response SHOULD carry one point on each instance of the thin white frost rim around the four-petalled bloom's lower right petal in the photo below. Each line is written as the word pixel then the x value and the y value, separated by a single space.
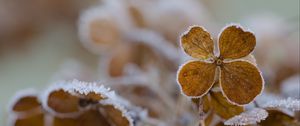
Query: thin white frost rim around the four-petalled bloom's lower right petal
pixel 261 91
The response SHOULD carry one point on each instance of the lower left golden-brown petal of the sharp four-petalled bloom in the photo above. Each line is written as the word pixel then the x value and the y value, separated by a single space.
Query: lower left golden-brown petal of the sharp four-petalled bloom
pixel 196 78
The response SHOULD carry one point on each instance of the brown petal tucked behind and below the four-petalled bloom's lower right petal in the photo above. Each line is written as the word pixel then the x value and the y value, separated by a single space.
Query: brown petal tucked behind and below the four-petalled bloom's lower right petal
pixel 222 107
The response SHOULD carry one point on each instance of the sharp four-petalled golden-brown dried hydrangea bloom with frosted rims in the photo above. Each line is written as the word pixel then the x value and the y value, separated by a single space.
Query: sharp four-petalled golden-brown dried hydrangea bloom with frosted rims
pixel 240 80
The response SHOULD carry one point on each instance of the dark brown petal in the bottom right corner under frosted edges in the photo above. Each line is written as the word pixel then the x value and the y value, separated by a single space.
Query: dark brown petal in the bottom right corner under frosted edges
pixel 278 118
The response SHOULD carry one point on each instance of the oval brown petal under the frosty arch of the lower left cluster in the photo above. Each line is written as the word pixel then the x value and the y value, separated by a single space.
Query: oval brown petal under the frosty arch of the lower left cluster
pixel 63 102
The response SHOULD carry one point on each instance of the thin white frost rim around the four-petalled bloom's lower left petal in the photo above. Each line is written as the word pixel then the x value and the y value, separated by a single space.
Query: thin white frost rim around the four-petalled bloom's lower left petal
pixel 177 79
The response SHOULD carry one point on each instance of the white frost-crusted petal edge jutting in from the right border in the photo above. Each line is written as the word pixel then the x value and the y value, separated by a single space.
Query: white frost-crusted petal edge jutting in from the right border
pixel 290 103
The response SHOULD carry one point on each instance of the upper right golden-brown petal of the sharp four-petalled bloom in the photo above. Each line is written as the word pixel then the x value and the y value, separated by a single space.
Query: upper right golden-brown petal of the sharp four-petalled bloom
pixel 236 43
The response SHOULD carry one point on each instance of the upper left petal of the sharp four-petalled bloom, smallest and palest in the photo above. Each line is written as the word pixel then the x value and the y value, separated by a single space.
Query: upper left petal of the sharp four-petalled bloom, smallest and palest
pixel 198 43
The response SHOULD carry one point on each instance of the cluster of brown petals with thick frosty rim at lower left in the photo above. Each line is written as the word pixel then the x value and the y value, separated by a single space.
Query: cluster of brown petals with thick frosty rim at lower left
pixel 72 103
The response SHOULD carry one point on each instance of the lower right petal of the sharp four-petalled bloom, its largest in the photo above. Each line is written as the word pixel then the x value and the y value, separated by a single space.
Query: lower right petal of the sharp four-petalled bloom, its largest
pixel 240 81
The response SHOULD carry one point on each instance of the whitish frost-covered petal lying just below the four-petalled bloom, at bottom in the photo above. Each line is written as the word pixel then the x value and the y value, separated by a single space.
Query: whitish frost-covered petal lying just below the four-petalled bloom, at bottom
pixel 249 117
